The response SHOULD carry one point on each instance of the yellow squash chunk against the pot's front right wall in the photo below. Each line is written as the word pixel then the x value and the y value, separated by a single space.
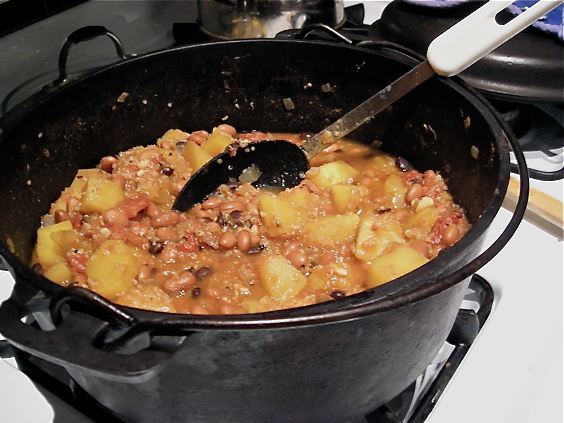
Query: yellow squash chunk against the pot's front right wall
pixel 390 266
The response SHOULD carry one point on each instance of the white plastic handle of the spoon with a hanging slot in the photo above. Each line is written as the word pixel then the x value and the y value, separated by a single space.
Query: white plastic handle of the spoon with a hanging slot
pixel 476 35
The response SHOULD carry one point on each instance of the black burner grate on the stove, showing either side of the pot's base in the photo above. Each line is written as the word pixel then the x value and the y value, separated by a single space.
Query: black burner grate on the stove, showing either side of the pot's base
pixel 411 406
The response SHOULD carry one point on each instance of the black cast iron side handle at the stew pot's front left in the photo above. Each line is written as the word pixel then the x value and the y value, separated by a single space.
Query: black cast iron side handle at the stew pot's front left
pixel 79 339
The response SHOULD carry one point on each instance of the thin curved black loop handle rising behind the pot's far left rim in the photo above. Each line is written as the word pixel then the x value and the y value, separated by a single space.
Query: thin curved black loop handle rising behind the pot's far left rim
pixel 83 34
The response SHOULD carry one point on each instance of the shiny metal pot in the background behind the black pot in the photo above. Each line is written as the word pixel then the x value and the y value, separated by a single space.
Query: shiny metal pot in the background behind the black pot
pixel 236 19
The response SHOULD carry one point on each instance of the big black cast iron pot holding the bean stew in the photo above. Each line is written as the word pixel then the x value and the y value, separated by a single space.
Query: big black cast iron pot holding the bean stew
pixel 329 362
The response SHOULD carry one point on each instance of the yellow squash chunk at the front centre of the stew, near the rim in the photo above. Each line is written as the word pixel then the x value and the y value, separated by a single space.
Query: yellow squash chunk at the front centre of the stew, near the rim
pixel 281 280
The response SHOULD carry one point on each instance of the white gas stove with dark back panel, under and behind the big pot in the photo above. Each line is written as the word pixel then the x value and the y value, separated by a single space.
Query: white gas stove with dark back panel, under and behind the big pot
pixel 501 363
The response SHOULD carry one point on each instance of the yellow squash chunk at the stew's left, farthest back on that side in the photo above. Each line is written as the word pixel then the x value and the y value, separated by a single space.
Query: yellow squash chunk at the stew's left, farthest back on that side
pixel 100 195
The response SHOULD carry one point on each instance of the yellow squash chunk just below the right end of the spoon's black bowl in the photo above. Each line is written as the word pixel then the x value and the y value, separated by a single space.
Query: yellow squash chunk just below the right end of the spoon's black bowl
pixel 278 215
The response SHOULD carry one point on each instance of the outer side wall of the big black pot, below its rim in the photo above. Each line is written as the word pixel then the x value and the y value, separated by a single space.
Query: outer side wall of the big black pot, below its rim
pixel 326 373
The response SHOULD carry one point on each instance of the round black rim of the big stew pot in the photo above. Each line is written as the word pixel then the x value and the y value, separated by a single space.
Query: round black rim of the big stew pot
pixel 412 287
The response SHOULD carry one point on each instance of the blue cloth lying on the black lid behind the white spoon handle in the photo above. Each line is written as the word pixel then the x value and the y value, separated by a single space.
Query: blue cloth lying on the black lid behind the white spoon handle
pixel 552 23
